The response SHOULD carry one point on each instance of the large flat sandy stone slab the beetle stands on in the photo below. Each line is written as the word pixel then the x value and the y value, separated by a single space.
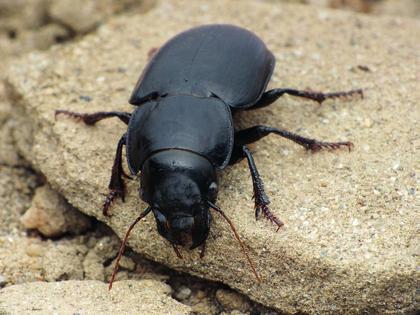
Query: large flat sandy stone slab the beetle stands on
pixel 350 242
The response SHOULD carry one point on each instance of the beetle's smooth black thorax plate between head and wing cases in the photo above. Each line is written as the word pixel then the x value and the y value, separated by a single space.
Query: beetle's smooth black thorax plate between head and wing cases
pixel 200 125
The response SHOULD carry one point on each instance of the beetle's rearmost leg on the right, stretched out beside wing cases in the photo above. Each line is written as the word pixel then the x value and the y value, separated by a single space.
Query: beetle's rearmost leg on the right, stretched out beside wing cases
pixel 271 96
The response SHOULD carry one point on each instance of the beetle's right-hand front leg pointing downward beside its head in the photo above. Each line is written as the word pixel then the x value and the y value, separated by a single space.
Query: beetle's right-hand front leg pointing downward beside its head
pixel 261 199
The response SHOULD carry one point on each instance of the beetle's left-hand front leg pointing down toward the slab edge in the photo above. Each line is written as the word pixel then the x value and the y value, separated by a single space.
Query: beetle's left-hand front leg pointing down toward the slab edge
pixel 116 184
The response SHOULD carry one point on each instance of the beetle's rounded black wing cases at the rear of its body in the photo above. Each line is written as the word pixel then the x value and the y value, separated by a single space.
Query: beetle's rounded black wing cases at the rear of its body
pixel 222 60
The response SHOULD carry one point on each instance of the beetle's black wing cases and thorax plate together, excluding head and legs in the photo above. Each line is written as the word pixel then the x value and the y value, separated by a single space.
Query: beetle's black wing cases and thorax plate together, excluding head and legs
pixel 198 76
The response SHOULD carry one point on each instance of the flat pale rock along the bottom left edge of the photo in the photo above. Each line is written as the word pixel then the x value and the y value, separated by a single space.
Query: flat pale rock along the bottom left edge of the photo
pixel 90 297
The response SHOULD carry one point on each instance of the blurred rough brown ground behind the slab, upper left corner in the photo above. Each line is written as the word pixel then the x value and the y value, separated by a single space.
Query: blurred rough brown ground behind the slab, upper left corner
pixel 27 25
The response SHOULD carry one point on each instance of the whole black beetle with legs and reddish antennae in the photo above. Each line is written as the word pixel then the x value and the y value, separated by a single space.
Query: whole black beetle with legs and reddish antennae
pixel 182 132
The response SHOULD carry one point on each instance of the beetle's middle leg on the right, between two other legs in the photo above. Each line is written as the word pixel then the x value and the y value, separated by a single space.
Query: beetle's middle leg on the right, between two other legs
pixel 255 133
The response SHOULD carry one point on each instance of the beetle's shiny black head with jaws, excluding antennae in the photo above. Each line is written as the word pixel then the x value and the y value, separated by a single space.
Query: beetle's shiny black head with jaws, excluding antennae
pixel 177 185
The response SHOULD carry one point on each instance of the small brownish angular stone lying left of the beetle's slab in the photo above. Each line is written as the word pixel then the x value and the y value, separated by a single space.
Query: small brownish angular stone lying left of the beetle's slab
pixel 52 216
